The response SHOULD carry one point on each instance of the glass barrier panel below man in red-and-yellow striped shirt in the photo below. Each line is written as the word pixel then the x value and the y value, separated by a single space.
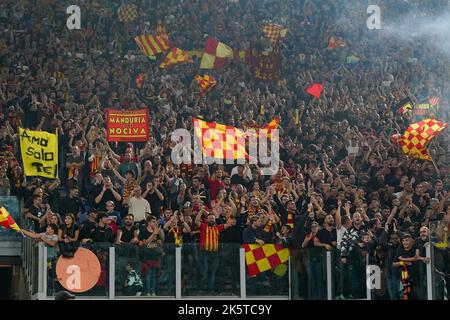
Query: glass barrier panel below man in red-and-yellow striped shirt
pixel 210 273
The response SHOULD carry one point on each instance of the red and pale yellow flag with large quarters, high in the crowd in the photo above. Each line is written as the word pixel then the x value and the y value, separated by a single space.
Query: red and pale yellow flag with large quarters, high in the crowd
pixel 215 54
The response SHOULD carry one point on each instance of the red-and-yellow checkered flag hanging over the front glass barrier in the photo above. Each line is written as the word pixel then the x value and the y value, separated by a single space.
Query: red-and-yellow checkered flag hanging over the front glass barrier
pixel 260 258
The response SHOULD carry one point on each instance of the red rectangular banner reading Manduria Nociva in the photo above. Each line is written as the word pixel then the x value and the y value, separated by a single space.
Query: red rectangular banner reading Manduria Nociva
pixel 127 125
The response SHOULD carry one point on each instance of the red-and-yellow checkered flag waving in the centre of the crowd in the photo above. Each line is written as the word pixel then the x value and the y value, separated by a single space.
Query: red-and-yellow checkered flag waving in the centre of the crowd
pixel 220 141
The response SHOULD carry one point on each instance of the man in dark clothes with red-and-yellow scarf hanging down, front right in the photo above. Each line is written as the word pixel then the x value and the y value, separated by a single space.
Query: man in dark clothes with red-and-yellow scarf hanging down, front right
pixel 406 260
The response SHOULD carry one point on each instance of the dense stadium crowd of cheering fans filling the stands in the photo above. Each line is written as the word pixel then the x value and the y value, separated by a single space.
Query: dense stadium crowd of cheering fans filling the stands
pixel 343 186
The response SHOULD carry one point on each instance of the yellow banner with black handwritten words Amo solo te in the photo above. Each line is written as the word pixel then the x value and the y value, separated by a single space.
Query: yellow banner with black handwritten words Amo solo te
pixel 39 153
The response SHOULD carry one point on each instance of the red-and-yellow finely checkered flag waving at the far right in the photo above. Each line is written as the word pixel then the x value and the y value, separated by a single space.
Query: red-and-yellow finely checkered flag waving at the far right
pixel 417 137
